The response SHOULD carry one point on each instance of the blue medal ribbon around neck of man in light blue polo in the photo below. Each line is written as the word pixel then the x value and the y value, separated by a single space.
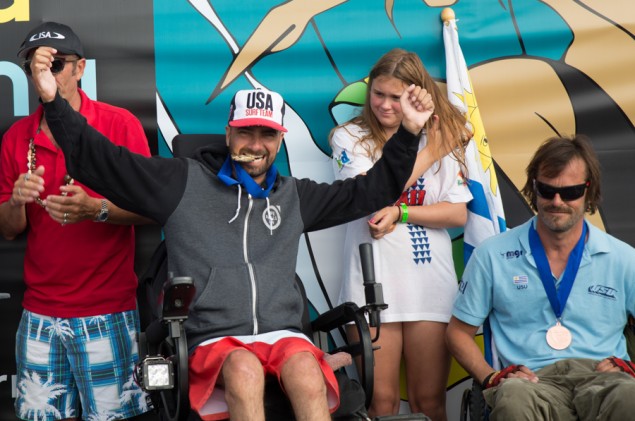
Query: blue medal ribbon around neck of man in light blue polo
pixel 558 299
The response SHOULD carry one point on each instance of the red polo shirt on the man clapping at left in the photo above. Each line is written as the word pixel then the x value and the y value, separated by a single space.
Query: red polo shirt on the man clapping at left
pixel 81 269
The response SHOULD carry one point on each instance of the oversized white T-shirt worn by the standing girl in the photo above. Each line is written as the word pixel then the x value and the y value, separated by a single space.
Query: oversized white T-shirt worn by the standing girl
pixel 414 263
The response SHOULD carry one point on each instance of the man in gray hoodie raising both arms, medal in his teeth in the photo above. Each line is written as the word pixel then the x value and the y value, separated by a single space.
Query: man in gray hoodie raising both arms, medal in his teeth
pixel 233 224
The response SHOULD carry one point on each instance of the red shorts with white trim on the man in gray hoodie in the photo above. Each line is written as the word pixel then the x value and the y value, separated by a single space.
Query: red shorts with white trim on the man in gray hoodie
pixel 207 360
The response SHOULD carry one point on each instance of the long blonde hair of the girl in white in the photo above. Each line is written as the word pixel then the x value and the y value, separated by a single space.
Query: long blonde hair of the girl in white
pixel 407 67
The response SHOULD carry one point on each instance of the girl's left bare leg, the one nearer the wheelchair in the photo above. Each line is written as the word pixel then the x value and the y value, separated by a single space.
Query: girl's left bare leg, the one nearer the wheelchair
pixel 386 389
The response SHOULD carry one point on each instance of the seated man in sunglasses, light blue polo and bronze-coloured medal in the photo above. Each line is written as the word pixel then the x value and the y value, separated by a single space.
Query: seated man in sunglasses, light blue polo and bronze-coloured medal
pixel 557 293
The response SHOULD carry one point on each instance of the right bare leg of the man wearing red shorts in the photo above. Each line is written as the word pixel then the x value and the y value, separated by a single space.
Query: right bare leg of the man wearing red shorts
pixel 304 384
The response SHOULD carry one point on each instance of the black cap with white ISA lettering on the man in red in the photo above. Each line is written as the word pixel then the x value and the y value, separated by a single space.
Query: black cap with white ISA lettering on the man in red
pixel 52 34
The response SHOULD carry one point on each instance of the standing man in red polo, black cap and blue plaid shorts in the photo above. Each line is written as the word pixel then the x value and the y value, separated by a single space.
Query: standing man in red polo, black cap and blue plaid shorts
pixel 79 326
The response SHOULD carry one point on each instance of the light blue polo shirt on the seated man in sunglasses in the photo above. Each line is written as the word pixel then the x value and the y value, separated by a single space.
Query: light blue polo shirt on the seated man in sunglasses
pixel 501 280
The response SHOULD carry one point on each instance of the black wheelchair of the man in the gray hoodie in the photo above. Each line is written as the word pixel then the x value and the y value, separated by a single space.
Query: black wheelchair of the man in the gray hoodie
pixel 163 370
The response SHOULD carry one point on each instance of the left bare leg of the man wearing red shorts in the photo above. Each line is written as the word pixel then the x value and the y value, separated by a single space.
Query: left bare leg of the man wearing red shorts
pixel 244 380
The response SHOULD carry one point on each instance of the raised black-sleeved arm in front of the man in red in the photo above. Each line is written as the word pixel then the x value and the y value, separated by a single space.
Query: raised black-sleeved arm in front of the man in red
pixel 150 187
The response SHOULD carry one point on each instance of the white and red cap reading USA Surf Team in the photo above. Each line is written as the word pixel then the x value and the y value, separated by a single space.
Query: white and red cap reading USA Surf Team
pixel 257 107
